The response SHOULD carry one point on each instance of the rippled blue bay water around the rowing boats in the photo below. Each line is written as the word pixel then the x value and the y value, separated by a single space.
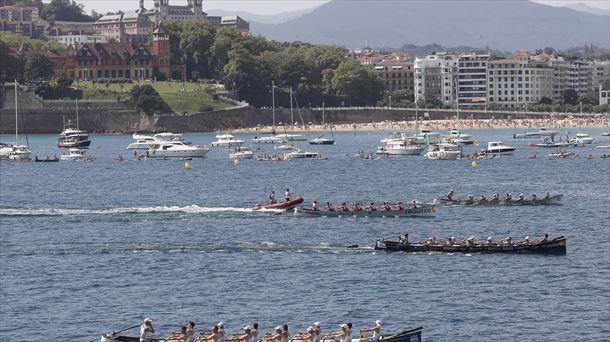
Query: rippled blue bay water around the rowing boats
pixel 90 247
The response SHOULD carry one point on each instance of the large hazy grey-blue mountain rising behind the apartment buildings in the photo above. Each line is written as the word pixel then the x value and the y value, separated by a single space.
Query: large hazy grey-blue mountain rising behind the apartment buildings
pixel 505 25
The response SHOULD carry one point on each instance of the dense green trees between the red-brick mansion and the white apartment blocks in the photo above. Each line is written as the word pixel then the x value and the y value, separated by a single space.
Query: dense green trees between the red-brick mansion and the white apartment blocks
pixel 247 65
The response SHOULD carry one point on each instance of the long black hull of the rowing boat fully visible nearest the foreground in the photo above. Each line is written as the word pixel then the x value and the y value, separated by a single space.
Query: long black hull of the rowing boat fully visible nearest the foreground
pixel 555 246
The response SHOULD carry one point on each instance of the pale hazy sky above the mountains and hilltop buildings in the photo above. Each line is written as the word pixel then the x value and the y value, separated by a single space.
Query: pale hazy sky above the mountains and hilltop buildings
pixel 266 7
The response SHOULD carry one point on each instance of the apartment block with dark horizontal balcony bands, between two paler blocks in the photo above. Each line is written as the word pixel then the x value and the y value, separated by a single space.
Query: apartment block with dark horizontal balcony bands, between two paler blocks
pixel 472 80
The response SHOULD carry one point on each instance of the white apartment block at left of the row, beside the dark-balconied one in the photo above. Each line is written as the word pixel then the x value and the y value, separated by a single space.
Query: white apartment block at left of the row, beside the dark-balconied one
pixel 435 77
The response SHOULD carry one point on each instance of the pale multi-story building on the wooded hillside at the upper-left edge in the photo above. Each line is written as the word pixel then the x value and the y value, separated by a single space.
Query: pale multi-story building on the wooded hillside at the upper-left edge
pixel 22 20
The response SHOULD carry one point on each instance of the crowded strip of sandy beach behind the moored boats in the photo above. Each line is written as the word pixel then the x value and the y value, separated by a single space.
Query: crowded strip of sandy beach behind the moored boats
pixel 435 125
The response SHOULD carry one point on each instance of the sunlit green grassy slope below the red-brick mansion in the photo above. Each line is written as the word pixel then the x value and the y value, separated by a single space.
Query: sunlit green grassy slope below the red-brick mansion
pixel 182 98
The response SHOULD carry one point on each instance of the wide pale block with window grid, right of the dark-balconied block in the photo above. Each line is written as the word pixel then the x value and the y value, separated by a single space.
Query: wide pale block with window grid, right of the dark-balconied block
pixel 518 81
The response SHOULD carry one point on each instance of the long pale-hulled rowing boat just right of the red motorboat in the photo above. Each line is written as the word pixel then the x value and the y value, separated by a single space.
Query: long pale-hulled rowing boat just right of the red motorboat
pixel 421 210
